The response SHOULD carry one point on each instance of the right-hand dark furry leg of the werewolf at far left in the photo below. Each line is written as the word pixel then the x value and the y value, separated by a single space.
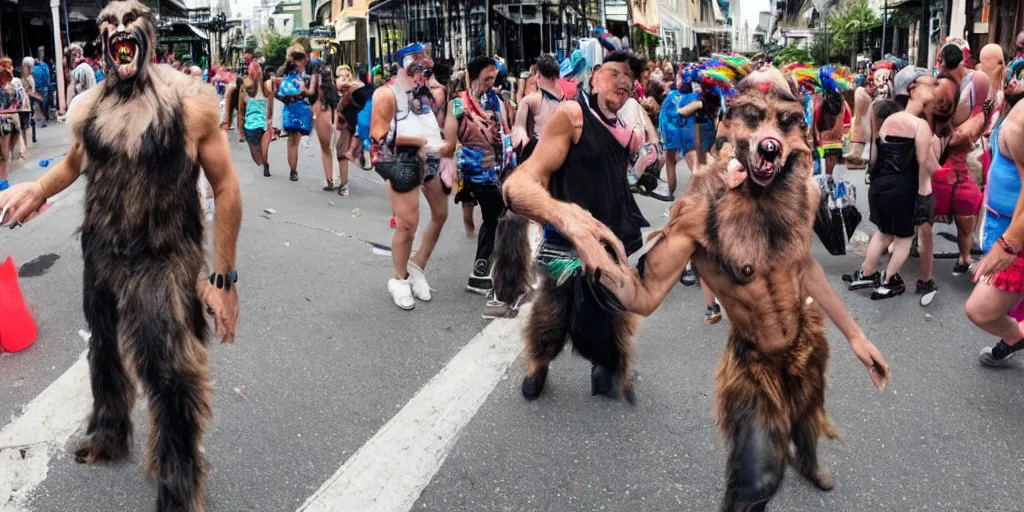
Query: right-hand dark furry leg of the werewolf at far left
pixel 160 330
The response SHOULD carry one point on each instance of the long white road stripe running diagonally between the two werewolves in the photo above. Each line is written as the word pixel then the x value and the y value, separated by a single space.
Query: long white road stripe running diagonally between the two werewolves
pixel 391 472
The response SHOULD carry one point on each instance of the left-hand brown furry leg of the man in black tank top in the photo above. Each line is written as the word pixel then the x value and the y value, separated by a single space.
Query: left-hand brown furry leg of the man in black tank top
pixel 546 334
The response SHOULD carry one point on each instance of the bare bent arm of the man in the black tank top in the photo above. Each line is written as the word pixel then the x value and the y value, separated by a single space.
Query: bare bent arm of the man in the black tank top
pixel 527 193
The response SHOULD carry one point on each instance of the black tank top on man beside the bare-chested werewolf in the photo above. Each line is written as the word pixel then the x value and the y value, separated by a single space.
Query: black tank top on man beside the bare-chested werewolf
pixel 594 178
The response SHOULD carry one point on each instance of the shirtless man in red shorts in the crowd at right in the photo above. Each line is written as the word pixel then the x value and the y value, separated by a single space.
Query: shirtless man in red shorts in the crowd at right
pixel 962 111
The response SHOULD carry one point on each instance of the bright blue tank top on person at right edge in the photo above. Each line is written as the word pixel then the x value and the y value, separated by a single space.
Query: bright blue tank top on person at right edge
pixel 1004 188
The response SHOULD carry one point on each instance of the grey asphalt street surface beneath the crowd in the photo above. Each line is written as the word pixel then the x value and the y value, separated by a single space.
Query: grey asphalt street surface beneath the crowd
pixel 324 361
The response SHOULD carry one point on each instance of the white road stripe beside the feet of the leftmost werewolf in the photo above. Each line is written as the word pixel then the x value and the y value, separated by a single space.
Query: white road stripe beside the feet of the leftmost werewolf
pixel 28 444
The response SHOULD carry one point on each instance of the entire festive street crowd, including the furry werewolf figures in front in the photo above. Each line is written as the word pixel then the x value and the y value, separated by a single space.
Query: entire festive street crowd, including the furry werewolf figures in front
pixel 567 146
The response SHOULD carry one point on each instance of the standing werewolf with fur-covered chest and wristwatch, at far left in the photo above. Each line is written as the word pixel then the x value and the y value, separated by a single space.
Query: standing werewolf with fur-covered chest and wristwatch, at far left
pixel 141 140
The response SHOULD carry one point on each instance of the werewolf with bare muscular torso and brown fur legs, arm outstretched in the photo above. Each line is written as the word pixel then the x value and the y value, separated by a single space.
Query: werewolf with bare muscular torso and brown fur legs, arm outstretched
pixel 747 225
